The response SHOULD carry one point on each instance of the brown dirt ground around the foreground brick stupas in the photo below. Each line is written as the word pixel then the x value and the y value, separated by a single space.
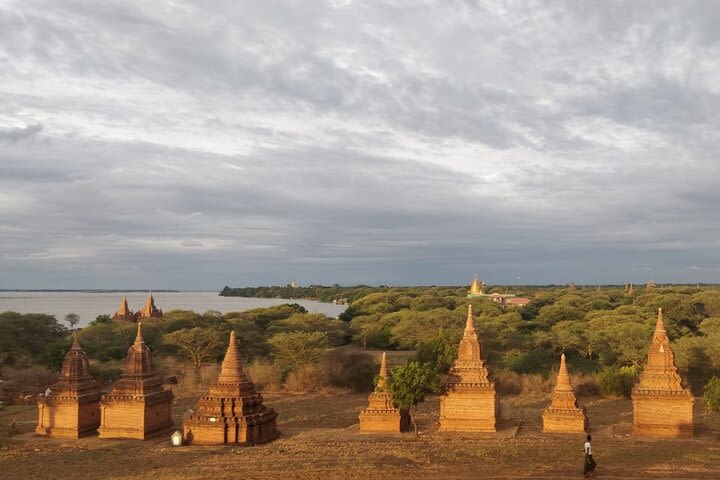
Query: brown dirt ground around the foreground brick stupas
pixel 320 439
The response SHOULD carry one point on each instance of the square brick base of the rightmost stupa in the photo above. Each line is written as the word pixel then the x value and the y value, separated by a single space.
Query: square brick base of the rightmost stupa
pixel 659 415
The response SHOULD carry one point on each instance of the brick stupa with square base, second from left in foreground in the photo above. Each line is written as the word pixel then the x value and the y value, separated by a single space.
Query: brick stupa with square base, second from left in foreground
pixel 137 406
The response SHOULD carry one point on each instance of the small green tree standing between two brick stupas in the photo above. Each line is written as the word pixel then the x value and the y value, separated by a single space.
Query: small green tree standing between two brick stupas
pixel 410 384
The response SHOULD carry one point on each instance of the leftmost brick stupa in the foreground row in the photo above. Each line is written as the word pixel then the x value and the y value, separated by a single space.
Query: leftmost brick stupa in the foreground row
pixel 73 407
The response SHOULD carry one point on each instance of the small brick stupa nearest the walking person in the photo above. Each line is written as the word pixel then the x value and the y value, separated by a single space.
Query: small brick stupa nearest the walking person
pixel 564 415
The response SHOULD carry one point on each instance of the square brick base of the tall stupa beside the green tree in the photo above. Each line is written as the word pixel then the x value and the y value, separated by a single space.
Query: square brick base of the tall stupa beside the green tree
pixel 469 411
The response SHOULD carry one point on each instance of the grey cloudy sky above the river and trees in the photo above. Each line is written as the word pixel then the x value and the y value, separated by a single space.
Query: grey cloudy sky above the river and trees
pixel 192 145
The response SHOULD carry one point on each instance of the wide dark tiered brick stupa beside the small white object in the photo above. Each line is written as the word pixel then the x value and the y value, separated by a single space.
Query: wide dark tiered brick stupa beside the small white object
pixel 232 411
